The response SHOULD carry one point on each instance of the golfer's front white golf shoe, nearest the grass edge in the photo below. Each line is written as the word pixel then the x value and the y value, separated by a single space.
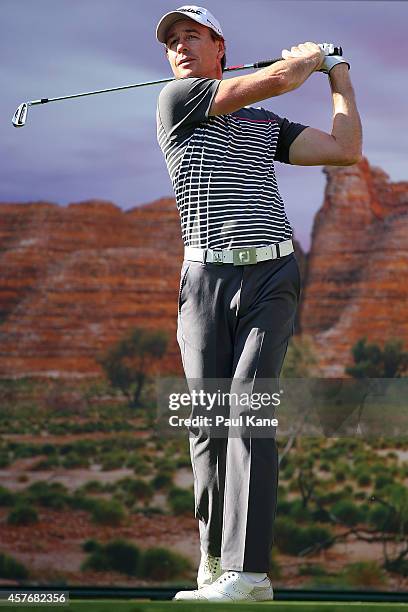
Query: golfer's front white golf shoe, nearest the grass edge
pixel 230 587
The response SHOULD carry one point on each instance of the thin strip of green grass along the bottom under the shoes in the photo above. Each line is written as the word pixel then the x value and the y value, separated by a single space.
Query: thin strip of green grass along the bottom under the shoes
pixel 147 606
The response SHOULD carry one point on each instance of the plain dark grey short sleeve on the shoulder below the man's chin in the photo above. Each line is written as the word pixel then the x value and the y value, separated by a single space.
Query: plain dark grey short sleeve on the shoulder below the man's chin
pixel 184 103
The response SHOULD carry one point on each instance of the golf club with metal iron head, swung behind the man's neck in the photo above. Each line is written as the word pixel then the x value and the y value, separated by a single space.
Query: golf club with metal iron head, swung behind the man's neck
pixel 20 116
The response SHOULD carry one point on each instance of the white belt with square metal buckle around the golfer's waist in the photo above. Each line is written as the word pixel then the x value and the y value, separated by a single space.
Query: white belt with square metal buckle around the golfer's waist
pixel 239 257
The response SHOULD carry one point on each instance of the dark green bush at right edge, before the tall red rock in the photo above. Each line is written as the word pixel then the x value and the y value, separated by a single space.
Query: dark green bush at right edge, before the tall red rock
pixel 370 361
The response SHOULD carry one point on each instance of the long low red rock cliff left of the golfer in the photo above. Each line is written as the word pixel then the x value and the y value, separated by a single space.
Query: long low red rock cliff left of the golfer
pixel 74 279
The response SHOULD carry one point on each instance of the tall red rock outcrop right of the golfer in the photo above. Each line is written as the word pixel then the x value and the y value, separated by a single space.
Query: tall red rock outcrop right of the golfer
pixel 356 282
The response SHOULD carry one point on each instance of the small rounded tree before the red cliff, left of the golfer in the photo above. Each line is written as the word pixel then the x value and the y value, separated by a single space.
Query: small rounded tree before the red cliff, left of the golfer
pixel 128 362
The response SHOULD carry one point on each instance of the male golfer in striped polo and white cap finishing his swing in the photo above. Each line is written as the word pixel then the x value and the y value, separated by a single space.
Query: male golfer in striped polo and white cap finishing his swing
pixel 240 282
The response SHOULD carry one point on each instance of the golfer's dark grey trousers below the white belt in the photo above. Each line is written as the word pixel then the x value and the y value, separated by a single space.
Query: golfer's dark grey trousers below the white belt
pixel 234 323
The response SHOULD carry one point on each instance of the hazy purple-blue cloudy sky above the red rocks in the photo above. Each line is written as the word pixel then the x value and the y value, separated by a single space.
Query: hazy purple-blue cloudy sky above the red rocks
pixel 105 146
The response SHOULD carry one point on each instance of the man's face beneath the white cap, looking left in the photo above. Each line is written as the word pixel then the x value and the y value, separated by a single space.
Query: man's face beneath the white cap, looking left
pixel 192 52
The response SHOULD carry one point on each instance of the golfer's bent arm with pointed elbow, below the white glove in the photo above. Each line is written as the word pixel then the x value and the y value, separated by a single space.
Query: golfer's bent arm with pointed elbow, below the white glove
pixel 343 147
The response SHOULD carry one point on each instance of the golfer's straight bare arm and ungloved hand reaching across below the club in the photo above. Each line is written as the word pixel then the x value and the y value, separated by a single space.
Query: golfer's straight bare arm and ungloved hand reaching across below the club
pixel 274 80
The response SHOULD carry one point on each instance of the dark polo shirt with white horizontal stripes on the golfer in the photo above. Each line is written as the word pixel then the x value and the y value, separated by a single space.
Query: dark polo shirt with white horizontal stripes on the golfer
pixel 222 167
